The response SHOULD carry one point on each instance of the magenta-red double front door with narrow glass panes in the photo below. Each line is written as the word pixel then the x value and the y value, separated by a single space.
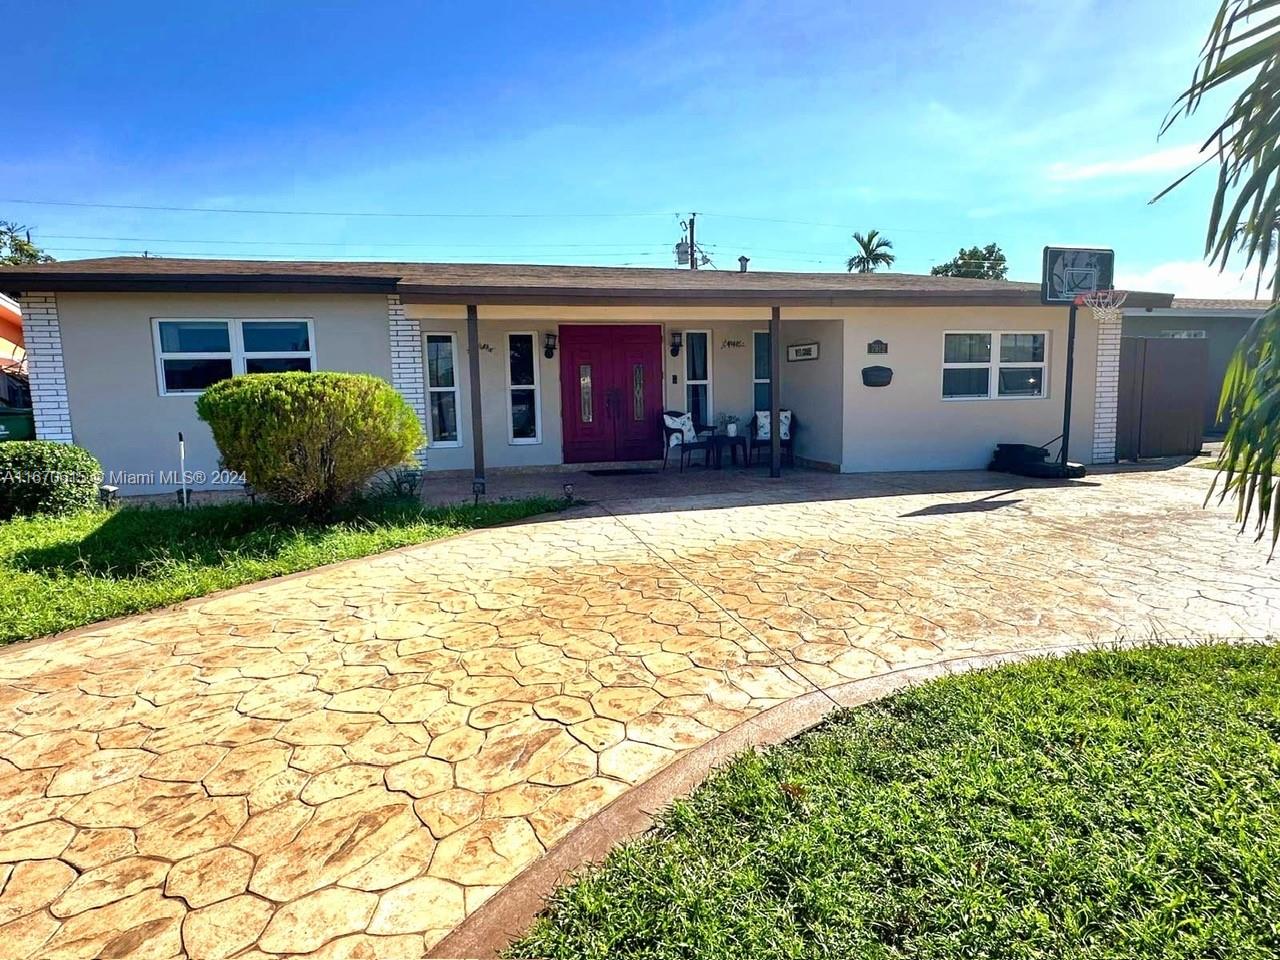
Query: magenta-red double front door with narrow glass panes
pixel 611 392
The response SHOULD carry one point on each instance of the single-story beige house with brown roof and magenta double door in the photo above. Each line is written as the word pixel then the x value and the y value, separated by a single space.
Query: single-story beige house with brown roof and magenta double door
pixel 120 349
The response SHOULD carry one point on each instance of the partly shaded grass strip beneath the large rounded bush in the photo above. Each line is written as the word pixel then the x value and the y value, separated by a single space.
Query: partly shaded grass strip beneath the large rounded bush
pixel 62 573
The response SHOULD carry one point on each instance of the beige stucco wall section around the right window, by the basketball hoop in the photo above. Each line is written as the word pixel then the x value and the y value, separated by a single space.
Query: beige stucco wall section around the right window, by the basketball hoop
pixel 909 427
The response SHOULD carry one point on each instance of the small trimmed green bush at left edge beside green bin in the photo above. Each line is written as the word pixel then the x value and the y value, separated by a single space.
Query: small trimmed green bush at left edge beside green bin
pixel 43 477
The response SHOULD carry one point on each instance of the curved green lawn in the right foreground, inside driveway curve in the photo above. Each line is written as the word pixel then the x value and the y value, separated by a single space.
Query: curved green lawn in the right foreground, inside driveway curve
pixel 1107 806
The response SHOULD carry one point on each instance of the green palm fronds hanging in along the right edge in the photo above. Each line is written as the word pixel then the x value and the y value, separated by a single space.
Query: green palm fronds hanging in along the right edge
pixel 1244 222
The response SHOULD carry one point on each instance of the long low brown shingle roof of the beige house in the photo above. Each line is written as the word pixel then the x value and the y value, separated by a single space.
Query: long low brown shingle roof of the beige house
pixel 522 282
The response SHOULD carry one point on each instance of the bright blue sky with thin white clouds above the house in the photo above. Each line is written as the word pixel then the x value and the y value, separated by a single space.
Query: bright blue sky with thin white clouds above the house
pixel 787 126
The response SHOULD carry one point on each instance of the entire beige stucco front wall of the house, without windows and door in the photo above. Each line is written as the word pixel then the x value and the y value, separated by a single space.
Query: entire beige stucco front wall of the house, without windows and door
pixel 118 414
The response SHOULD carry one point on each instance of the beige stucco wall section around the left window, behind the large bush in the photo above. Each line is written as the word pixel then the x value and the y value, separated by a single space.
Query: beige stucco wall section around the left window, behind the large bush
pixel 116 405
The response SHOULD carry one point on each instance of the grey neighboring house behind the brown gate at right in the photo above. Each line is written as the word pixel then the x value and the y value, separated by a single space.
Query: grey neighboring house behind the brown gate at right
pixel 1220 322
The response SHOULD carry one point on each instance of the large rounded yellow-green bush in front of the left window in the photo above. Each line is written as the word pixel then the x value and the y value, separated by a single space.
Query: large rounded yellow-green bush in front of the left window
pixel 310 440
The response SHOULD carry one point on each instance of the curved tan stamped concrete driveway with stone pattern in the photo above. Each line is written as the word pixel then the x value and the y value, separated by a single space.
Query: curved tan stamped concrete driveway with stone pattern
pixel 351 762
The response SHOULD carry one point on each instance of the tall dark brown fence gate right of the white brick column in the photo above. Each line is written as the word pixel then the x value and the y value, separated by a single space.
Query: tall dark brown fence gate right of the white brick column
pixel 1162 405
